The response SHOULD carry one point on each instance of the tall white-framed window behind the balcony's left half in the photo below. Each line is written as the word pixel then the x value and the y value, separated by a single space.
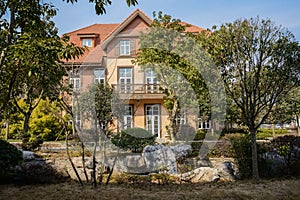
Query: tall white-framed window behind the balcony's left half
pixel 125 79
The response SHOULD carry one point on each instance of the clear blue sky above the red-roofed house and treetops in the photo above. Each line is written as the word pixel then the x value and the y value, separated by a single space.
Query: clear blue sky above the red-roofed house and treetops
pixel 202 13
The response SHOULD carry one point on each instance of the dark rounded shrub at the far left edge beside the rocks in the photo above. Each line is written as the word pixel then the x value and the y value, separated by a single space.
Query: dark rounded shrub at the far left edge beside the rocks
pixel 10 156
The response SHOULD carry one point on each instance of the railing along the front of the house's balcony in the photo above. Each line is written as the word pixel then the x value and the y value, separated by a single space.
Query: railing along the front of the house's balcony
pixel 137 88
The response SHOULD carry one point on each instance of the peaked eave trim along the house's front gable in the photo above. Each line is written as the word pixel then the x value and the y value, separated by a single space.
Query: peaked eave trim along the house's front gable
pixel 122 25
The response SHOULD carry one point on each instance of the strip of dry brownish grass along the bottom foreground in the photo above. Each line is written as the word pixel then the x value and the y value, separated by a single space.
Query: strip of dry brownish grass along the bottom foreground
pixel 266 189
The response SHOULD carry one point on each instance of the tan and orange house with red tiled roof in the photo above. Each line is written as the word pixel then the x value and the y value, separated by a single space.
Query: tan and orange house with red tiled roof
pixel 109 59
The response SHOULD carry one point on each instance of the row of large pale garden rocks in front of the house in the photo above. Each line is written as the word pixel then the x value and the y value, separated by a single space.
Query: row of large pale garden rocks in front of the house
pixel 153 159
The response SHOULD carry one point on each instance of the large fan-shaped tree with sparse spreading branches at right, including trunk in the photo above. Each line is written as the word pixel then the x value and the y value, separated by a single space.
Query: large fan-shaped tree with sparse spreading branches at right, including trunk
pixel 259 62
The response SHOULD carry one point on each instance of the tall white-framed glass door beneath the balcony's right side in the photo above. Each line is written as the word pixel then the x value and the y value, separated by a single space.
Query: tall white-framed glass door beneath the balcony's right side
pixel 153 119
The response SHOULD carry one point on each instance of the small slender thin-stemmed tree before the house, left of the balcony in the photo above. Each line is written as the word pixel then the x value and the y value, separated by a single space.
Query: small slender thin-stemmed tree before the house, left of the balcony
pixel 96 112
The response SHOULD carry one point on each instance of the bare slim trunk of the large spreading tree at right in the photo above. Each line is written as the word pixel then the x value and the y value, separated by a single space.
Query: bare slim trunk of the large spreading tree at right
pixel 255 172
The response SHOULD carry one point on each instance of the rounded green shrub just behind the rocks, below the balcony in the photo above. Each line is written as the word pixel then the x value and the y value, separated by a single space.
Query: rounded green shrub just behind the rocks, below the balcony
pixel 134 139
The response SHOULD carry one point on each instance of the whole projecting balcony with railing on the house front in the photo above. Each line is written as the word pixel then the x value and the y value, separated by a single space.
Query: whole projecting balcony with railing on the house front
pixel 138 91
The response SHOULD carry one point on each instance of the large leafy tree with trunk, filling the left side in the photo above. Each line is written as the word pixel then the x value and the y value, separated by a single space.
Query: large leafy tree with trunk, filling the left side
pixel 31 54
